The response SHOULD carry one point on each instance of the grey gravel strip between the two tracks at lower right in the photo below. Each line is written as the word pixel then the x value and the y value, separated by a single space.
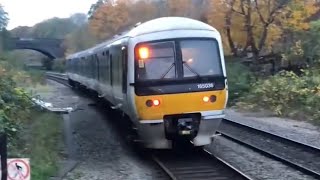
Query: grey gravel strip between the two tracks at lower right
pixel 252 163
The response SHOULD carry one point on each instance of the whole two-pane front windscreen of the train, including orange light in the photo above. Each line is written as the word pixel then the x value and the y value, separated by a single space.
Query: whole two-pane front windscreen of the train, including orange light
pixel 178 59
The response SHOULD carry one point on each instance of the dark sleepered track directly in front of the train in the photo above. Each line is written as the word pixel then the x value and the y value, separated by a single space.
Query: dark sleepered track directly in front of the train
pixel 196 165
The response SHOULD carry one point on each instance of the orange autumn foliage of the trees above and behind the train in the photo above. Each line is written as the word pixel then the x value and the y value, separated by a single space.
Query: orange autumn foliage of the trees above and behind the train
pixel 246 25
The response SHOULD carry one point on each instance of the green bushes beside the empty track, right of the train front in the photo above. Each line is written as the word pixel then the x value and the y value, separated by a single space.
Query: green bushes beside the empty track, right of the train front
pixel 287 93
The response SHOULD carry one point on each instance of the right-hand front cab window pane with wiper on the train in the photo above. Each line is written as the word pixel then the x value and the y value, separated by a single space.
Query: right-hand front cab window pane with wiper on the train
pixel 200 58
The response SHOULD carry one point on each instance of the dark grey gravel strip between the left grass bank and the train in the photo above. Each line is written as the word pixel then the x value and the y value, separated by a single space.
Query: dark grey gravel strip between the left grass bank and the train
pixel 97 147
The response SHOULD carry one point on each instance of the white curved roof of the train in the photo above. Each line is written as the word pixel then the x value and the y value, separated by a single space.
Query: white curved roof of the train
pixel 155 25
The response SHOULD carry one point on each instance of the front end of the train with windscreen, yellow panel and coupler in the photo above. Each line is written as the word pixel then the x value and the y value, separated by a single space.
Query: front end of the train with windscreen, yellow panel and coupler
pixel 180 87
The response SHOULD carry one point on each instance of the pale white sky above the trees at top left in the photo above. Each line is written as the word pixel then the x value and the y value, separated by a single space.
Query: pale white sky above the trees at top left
pixel 30 12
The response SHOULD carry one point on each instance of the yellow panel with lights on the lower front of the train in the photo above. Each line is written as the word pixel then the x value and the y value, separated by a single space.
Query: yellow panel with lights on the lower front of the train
pixel 180 104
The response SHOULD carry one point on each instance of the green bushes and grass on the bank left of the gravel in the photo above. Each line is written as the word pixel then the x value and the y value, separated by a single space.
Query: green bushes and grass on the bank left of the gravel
pixel 32 133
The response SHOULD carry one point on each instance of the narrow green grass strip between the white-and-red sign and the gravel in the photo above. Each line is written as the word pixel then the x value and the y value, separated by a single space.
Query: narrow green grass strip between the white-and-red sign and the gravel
pixel 46 136
